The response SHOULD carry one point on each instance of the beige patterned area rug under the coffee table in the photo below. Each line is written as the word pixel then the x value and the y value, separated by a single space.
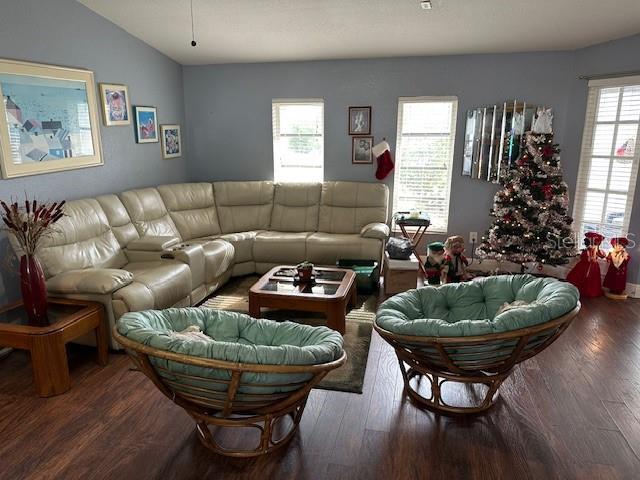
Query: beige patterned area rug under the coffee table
pixel 234 296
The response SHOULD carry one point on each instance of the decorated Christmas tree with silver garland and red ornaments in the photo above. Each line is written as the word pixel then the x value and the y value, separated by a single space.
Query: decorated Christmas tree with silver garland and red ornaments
pixel 531 223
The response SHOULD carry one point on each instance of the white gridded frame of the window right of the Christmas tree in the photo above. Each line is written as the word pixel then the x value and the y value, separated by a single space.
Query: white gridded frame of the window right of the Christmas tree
pixel 586 155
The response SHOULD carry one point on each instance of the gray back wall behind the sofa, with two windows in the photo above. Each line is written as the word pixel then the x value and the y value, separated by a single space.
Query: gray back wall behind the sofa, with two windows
pixel 229 111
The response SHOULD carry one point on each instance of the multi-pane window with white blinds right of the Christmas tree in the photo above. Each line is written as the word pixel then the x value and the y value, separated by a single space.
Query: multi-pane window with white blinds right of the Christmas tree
pixel 609 157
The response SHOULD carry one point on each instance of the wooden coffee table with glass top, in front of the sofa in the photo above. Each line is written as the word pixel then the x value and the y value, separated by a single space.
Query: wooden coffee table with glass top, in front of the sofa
pixel 332 292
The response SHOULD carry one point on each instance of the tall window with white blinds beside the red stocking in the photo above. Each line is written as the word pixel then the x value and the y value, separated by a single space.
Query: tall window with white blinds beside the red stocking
pixel 424 157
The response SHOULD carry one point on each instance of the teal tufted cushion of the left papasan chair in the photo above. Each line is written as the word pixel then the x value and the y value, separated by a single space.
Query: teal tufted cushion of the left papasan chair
pixel 236 338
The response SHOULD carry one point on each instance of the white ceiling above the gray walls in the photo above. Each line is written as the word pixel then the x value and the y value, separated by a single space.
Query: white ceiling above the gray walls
pixel 237 31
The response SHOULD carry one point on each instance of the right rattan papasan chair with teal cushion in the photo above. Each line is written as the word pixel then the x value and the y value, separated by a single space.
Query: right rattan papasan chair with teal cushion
pixel 474 333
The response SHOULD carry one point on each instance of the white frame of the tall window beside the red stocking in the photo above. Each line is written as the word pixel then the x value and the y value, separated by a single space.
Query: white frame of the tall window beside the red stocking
pixel 452 133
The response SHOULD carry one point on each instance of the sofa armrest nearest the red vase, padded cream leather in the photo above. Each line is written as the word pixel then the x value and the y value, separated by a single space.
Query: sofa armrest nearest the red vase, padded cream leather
pixel 91 280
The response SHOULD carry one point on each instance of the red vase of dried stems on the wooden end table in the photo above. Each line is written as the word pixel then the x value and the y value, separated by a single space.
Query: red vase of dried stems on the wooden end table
pixel 29 223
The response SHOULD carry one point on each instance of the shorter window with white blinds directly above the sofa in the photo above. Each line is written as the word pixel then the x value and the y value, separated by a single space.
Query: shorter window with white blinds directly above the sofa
pixel 298 140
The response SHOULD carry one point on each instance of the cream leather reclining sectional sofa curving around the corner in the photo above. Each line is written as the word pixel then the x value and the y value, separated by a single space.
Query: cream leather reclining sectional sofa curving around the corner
pixel 173 245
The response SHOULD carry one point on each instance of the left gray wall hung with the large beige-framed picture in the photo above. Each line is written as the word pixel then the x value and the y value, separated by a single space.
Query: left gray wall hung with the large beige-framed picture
pixel 64 32
